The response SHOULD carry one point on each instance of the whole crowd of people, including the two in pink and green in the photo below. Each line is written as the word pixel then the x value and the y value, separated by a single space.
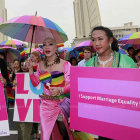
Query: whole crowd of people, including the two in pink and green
pixel 54 73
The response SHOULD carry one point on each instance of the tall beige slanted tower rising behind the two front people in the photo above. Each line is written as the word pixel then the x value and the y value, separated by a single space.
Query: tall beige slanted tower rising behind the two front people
pixel 87 16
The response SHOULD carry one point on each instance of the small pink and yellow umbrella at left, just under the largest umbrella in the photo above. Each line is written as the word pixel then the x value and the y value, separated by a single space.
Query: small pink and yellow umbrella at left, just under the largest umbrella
pixel 12 43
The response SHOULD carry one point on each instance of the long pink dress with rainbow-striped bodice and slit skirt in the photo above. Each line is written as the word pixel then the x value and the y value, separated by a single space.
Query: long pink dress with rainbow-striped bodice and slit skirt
pixel 51 107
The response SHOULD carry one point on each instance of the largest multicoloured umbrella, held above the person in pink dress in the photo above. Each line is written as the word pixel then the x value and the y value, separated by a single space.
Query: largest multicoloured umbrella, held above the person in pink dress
pixel 33 29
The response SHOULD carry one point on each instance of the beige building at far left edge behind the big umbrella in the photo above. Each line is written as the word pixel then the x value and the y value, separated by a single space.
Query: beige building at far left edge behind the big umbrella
pixel 3 16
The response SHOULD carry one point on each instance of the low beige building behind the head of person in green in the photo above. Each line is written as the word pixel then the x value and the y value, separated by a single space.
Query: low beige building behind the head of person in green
pixel 126 29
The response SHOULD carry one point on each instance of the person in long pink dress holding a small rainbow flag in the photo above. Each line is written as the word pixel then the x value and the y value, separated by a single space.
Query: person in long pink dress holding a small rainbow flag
pixel 54 74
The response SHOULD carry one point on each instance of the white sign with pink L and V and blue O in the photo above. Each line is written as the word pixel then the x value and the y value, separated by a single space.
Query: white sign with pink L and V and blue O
pixel 27 102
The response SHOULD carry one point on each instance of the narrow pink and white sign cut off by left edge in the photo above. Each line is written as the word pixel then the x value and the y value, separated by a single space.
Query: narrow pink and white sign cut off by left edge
pixel 4 125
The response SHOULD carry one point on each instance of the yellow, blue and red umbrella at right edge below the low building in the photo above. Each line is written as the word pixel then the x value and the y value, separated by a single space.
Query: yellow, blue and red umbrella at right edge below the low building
pixel 133 38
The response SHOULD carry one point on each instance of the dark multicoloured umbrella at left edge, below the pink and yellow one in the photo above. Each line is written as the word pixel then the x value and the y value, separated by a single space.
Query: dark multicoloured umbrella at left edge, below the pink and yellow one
pixel 10 53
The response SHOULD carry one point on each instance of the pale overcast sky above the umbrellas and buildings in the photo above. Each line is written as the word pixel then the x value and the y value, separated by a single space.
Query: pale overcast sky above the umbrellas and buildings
pixel 113 12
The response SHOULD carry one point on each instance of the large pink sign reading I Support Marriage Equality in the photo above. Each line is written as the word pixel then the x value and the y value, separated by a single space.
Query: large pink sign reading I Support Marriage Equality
pixel 106 102
